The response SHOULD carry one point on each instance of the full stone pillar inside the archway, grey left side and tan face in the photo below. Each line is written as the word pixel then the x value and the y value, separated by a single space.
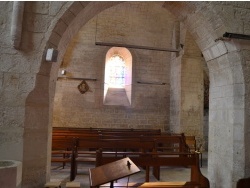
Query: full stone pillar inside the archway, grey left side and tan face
pixel 187 90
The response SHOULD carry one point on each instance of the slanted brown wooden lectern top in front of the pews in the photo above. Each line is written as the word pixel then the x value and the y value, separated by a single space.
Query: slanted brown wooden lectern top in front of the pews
pixel 111 172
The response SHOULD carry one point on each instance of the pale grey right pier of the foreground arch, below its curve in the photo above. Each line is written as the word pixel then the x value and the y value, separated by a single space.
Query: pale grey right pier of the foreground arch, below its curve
pixel 226 152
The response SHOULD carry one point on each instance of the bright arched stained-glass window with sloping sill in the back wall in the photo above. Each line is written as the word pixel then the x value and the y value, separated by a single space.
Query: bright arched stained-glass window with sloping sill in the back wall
pixel 118 77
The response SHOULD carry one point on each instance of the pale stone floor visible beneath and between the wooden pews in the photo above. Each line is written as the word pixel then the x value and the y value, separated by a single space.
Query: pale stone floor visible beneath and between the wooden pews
pixel 167 174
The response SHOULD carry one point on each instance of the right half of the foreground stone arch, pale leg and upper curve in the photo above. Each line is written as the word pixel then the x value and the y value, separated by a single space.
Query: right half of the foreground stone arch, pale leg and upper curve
pixel 227 90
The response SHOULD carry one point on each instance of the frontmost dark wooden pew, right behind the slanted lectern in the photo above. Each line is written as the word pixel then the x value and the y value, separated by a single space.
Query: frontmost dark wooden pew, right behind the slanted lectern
pixel 166 159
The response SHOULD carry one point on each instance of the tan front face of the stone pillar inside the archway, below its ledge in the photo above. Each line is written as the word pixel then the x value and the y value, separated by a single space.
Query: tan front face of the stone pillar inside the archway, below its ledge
pixel 192 97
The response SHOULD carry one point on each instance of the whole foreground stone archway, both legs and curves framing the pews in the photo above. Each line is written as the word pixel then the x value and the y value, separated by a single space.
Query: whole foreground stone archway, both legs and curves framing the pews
pixel 223 78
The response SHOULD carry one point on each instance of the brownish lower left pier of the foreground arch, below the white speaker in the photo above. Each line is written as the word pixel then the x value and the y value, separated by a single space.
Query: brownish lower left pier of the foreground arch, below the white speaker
pixel 37 135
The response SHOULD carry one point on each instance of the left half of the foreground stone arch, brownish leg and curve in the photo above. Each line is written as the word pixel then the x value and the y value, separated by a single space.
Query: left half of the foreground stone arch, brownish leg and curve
pixel 39 103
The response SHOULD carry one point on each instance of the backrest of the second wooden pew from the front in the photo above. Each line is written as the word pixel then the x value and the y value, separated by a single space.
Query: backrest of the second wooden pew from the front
pixel 144 143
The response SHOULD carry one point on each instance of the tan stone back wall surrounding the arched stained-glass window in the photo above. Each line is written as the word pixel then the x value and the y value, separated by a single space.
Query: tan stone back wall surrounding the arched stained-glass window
pixel 83 59
